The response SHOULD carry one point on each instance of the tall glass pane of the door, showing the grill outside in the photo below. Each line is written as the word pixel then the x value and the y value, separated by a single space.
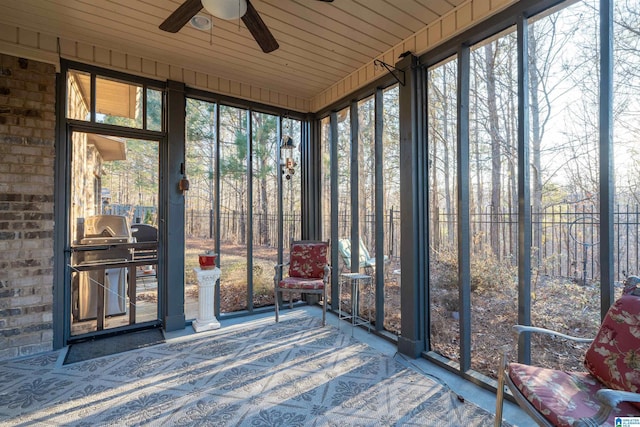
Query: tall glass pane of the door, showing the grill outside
pixel 113 226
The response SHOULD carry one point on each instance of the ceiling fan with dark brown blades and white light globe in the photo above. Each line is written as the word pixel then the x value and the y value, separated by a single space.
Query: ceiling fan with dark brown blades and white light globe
pixel 225 9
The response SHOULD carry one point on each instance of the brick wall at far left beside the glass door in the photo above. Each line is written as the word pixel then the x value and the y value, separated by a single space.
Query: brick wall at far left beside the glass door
pixel 27 135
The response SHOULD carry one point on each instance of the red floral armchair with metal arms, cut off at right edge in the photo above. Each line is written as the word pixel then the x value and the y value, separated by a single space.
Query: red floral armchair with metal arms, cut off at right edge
pixel 608 389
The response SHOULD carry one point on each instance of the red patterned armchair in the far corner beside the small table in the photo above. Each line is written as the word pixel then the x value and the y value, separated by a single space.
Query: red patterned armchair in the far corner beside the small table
pixel 308 273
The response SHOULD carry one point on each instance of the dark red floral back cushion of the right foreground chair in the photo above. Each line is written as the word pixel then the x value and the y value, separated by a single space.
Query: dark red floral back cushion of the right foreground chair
pixel 614 355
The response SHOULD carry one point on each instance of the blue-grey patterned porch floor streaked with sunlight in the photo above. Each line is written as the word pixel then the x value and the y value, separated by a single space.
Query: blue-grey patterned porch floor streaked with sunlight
pixel 251 374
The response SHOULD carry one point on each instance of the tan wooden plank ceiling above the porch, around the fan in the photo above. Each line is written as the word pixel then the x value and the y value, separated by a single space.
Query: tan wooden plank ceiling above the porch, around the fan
pixel 320 43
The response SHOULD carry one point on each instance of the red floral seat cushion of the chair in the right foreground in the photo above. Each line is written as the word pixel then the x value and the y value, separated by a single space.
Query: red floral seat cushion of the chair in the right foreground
pixel 562 397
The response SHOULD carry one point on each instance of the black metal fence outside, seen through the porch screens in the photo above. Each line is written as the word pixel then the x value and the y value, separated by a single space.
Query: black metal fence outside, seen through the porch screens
pixel 565 239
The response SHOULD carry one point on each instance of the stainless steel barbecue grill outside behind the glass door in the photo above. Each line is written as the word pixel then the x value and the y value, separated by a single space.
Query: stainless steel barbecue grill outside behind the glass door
pixel 105 241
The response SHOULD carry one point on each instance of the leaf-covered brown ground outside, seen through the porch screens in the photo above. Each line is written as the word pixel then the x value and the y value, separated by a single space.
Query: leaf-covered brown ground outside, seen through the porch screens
pixel 559 304
